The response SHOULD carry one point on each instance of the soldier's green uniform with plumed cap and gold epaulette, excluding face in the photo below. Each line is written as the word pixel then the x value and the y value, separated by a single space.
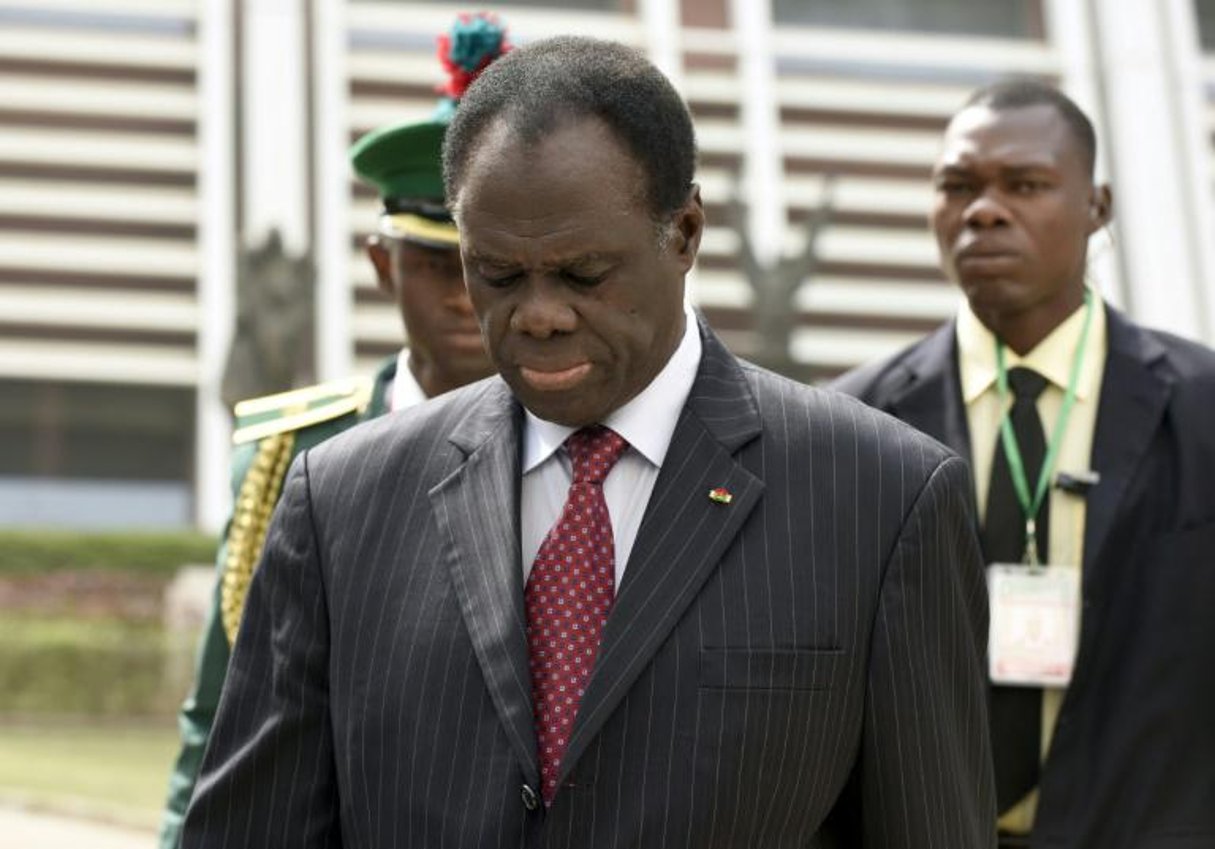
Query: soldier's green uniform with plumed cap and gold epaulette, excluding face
pixel 404 162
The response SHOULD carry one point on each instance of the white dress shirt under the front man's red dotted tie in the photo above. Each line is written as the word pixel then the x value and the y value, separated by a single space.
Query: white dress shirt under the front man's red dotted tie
pixel 647 422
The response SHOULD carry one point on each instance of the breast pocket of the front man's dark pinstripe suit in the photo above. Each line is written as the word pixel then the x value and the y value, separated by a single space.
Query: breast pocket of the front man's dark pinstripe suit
pixel 768 669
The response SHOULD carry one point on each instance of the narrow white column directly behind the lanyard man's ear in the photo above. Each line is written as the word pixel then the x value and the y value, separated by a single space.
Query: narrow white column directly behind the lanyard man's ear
pixel 1071 32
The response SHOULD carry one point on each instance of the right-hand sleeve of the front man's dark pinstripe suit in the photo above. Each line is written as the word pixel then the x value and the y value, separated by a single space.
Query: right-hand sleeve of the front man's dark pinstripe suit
pixel 926 766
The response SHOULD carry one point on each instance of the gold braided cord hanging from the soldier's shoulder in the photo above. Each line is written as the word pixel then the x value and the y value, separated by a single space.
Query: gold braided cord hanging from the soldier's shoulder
pixel 247 535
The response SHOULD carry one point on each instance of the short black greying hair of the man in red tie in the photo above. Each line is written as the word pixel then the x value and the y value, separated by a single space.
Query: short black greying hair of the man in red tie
pixel 542 86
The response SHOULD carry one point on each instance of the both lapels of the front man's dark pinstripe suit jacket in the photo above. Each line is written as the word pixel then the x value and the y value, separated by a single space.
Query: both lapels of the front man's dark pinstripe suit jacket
pixel 679 546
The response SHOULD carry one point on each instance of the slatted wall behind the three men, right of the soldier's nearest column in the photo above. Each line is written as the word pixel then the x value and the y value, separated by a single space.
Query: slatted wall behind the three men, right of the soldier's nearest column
pixel 869 110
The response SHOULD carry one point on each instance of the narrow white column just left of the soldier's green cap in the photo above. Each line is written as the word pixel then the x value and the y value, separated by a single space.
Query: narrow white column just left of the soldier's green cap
pixel 335 290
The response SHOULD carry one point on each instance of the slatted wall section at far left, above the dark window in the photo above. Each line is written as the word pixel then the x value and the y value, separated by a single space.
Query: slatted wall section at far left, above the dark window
pixel 99 124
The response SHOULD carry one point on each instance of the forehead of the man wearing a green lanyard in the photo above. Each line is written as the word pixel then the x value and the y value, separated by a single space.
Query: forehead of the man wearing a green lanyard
pixel 1009 138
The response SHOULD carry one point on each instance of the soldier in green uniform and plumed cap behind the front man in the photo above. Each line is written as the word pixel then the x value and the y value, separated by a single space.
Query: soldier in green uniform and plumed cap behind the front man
pixel 417 264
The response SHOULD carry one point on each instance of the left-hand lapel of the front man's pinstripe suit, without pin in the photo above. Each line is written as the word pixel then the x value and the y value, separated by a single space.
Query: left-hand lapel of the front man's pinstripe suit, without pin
pixel 477 508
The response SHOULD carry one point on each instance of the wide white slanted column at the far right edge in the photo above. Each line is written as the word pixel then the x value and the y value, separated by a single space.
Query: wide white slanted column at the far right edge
pixel 1163 213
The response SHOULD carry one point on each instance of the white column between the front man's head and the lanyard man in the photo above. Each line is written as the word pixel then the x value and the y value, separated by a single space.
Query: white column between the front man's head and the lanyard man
pixel 764 166
